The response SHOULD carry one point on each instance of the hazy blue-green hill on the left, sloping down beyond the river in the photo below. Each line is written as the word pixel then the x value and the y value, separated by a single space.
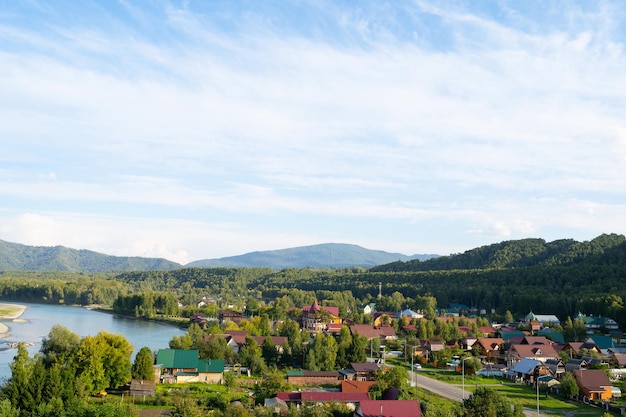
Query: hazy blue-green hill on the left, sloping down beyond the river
pixel 17 257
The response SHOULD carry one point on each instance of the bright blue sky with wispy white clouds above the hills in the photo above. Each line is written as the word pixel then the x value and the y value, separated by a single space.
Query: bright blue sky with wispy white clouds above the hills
pixel 196 129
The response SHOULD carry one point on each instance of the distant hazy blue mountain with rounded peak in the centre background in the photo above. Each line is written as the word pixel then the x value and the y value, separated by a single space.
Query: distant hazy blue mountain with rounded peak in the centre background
pixel 326 255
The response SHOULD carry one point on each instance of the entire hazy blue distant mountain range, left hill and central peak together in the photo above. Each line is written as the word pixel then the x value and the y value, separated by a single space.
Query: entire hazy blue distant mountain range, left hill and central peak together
pixel 19 257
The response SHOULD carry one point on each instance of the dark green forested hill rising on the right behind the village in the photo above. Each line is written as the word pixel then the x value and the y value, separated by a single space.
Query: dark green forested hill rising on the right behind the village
pixel 605 249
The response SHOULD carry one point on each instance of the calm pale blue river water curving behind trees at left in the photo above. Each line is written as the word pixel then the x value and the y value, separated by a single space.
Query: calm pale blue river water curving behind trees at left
pixel 38 319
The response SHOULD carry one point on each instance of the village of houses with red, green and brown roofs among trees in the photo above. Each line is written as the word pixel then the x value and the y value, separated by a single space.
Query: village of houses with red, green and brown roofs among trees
pixel 530 352
